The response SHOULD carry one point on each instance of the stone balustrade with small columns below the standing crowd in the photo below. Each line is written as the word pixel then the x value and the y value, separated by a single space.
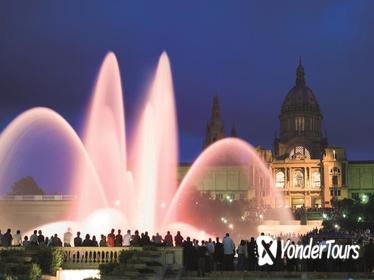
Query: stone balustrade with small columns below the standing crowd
pixel 92 257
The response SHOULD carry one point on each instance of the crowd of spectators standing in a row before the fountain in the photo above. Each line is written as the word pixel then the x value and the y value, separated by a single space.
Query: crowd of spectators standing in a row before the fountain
pixel 210 255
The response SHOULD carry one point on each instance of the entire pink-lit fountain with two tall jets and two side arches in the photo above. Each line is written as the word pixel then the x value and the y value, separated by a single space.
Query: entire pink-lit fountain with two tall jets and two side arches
pixel 136 190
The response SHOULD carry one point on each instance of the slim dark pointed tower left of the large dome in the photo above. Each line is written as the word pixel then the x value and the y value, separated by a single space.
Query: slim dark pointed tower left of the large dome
pixel 214 129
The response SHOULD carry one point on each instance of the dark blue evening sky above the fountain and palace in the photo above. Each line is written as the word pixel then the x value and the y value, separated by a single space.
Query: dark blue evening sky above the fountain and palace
pixel 244 51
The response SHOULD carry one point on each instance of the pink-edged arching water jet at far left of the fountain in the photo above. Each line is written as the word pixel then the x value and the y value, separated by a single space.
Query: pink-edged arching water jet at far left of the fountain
pixel 32 144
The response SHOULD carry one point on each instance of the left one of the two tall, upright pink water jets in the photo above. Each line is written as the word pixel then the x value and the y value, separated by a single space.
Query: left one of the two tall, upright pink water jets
pixel 104 131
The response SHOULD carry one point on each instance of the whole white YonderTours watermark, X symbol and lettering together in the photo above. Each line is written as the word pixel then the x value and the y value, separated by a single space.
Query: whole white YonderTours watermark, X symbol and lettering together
pixel 325 249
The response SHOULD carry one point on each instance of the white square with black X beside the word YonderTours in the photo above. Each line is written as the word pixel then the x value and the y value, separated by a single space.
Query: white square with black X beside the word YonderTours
pixel 267 250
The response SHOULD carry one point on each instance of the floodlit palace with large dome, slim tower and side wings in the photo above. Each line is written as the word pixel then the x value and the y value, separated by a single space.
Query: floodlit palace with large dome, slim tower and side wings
pixel 308 171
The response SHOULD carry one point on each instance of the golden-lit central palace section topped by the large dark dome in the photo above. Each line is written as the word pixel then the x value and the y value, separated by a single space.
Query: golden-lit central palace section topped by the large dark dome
pixel 304 166
